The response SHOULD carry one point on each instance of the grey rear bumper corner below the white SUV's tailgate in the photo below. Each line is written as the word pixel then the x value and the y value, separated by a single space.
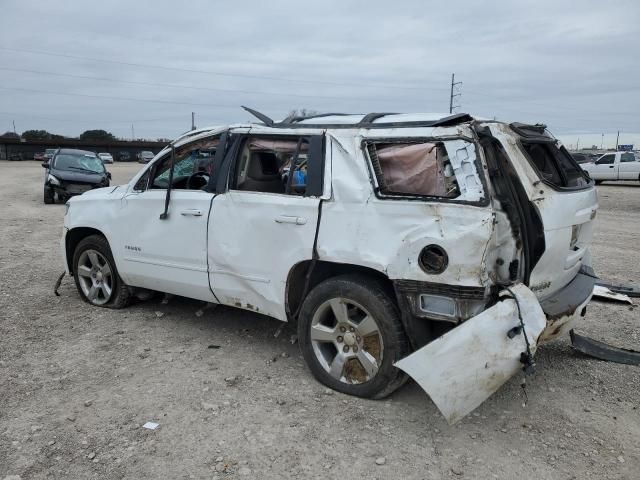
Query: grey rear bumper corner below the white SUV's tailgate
pixel 566 306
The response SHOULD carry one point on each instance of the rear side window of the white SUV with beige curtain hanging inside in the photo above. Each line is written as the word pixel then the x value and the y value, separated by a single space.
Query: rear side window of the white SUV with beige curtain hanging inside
pixel 414 169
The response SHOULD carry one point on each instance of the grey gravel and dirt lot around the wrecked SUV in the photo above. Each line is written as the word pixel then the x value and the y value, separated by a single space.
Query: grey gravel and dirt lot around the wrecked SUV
pixel 77 383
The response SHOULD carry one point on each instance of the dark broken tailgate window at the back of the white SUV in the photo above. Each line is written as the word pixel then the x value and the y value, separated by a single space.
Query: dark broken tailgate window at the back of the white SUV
pixel 555 165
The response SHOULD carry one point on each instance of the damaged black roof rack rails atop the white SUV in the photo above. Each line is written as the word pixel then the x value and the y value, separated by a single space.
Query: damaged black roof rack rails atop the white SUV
pixel 367 121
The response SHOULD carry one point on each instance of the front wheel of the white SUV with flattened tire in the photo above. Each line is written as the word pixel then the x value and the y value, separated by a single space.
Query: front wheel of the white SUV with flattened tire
pixel 95 274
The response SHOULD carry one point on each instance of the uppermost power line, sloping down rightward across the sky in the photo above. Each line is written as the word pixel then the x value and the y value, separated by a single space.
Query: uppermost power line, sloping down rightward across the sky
pixel 222 74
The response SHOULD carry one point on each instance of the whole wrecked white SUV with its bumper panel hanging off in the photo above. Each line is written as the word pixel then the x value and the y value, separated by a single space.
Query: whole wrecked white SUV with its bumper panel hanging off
pixel 445 248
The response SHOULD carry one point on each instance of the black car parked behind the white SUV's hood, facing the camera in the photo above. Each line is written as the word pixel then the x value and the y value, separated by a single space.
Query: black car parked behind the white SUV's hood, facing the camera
pixel 73 172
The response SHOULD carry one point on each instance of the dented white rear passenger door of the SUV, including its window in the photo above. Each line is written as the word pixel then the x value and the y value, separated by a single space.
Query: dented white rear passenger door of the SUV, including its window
pixel 265 222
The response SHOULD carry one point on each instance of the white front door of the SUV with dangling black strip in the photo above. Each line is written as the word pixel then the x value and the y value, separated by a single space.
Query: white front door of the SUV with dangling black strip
pixel 169 254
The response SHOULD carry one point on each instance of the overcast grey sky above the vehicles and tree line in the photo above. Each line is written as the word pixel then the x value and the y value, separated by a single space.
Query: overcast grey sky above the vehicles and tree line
pixel 69 66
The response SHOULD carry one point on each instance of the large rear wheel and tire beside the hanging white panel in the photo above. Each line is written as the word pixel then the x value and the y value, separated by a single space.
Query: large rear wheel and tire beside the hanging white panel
pixel 340 348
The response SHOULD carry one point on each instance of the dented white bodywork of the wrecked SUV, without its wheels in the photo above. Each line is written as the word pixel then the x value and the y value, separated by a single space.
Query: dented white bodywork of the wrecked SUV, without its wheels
pixel 501 226
